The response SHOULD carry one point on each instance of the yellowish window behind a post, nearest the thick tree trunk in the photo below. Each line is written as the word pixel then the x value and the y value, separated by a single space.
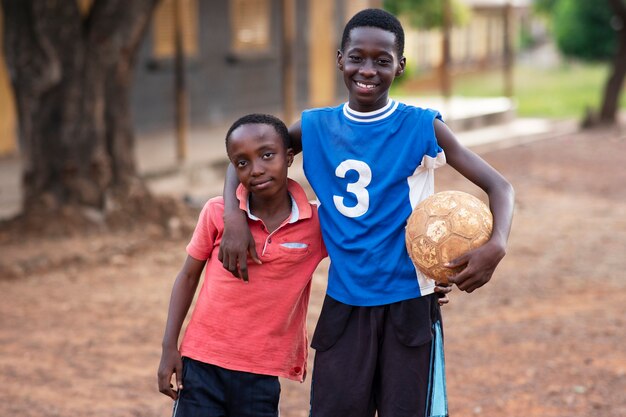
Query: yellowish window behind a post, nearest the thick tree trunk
pixel 163 28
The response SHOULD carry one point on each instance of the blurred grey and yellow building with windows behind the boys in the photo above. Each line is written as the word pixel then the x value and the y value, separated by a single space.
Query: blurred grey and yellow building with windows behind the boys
pixel 233 53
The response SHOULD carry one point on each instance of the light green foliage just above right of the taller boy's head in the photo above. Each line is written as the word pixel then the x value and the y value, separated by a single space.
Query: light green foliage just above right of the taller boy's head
pixel 426 14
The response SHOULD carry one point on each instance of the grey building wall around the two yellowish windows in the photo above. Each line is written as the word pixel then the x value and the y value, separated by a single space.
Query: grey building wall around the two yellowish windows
pixel 222 84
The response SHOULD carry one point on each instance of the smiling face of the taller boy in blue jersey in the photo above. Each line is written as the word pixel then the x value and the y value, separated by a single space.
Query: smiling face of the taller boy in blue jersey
pixel 370 63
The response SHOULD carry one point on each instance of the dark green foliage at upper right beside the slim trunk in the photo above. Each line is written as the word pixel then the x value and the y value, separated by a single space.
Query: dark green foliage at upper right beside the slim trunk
pixel 583 29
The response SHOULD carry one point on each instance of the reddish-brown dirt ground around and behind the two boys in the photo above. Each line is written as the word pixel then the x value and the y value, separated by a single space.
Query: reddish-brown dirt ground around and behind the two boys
pixel 81 319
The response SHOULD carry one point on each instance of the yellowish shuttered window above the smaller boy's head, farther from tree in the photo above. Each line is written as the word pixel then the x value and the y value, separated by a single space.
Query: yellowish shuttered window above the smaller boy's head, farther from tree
pixel 250 25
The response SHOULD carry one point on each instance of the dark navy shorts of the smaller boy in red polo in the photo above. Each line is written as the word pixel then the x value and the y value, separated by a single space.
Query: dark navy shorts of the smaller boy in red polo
pixel 211 391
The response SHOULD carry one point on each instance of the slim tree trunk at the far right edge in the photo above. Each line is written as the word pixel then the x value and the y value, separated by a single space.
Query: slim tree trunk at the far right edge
pixel 615 82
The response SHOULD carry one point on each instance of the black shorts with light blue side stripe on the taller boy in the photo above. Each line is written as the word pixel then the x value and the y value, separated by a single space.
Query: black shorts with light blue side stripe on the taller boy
pixel 386 359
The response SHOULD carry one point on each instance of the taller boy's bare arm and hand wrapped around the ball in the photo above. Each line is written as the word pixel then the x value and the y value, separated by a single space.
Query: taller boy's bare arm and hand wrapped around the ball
pixel 481 262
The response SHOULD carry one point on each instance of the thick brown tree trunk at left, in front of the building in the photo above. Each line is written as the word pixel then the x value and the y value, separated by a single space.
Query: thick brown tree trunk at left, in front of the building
pixel 71 76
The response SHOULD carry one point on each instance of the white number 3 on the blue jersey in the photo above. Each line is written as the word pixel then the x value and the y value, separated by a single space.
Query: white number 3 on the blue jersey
pixel 357 188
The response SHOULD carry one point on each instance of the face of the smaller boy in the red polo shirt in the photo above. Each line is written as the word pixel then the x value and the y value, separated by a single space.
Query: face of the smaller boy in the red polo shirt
pixel 260 158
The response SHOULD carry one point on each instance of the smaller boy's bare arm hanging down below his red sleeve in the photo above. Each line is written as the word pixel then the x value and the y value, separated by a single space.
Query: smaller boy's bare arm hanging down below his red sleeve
pixel 180 300
